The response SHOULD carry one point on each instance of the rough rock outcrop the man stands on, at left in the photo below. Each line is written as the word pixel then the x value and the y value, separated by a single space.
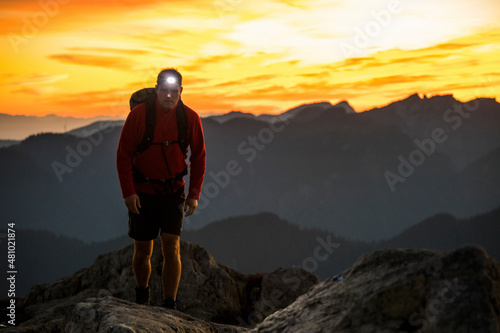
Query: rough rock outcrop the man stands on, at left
pixel 100 298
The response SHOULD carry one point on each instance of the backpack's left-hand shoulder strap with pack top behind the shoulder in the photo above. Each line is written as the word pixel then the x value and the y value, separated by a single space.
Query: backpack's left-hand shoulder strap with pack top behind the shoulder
pixel 148 96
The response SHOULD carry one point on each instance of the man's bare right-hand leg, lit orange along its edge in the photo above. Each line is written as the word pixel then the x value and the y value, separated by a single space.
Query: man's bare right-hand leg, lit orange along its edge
pixel 171 273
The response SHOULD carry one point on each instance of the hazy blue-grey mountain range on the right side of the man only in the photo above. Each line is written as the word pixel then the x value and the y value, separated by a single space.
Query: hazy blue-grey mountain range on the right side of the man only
pixel 338 171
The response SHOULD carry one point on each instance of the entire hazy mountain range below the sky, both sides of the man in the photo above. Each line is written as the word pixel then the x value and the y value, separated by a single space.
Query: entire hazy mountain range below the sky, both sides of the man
pixel 364 176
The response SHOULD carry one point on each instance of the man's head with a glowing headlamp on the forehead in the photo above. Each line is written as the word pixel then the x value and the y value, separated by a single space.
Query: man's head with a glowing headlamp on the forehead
pixel 169 88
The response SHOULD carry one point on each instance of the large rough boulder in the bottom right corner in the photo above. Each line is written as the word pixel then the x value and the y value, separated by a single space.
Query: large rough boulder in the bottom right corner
pixel 401 291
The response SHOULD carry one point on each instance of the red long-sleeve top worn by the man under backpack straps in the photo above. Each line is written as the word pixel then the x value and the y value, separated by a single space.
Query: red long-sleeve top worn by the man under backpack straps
pixel 151 162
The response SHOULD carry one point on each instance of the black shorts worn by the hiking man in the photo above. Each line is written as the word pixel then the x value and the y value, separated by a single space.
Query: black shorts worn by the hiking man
pixel 158 213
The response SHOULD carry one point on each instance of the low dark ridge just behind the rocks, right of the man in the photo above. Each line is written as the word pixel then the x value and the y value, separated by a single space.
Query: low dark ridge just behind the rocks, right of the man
pixel 264 241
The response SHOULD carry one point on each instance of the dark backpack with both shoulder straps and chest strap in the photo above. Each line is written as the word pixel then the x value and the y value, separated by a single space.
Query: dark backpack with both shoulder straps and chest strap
pixel 148 96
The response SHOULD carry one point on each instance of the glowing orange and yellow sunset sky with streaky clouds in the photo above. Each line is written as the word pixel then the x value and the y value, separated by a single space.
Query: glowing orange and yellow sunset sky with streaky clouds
pixel 85 58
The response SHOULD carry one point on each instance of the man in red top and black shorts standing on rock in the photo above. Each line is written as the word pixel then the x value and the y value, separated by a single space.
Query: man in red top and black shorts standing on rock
pixel 153 187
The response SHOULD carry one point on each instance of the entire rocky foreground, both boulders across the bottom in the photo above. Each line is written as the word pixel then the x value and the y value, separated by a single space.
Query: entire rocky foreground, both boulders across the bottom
pixel 387 291
